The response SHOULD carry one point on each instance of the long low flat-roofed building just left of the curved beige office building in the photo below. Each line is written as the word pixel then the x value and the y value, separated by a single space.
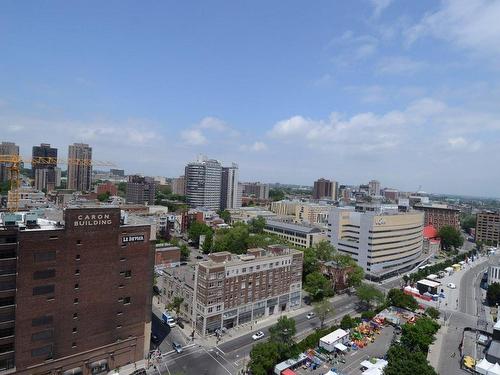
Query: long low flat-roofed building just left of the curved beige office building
pixel 299 235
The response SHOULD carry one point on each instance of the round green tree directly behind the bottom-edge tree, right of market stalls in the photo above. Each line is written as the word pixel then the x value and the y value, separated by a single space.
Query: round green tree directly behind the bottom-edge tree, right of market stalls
pixel 419 336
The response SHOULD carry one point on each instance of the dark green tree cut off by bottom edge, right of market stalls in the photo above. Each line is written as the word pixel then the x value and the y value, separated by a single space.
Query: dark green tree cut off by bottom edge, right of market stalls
pixel 403 361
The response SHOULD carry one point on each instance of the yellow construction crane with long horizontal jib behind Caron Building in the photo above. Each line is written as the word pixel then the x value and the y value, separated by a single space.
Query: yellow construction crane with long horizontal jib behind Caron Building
pixel 13 164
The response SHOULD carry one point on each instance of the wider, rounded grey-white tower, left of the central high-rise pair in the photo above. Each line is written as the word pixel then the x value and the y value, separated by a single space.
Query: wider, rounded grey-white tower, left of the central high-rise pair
pixel 204 183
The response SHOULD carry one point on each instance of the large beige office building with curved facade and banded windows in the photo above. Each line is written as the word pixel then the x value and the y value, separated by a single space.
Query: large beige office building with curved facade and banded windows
pixel 383 242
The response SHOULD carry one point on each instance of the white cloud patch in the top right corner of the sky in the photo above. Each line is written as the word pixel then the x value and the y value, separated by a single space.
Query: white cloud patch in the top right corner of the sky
pixel 468 24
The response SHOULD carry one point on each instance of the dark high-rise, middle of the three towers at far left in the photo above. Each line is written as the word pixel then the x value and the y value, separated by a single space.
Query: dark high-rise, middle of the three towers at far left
pixel 43 164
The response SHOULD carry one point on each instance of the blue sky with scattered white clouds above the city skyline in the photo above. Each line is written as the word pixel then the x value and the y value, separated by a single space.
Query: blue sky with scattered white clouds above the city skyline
pixel 406 92
